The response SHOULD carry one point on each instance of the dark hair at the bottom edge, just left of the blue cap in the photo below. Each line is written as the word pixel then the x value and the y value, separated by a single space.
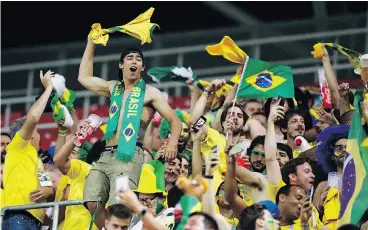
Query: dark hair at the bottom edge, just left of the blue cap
pixel 249 215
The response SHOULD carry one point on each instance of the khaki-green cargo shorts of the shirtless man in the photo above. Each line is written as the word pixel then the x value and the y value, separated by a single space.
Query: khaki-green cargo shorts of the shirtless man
pixel 100 182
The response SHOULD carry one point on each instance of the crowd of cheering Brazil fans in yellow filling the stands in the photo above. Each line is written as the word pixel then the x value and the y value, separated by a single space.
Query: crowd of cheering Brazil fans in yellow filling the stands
pixel 254 163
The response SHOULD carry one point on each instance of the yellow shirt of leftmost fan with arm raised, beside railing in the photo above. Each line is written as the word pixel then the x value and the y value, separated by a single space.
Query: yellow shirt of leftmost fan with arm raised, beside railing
pixel 20 174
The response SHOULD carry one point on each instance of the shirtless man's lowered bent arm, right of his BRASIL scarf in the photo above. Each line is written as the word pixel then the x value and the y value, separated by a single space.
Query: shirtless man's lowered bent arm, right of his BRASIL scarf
pixel 163 108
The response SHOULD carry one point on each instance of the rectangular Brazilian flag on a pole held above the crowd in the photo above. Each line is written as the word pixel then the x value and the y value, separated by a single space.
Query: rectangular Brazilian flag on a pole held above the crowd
pixel 266 80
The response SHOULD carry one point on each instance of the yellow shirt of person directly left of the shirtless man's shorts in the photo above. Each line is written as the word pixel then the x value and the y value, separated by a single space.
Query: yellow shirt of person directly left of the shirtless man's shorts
pixel 77 216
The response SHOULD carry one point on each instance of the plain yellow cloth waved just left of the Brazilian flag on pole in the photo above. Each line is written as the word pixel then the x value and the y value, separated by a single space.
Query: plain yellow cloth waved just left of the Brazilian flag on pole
pixel 229 50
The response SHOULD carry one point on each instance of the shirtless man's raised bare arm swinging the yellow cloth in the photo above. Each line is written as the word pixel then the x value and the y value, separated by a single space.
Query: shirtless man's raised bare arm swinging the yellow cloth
pixel 85 76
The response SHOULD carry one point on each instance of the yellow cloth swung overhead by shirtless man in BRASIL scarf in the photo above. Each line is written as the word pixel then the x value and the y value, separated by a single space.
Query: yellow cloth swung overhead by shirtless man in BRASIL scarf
pixel 140 28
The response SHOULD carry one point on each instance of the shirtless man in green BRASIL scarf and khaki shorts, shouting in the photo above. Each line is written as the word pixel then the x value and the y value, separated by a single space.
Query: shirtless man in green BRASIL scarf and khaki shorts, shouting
pixel 132 106
